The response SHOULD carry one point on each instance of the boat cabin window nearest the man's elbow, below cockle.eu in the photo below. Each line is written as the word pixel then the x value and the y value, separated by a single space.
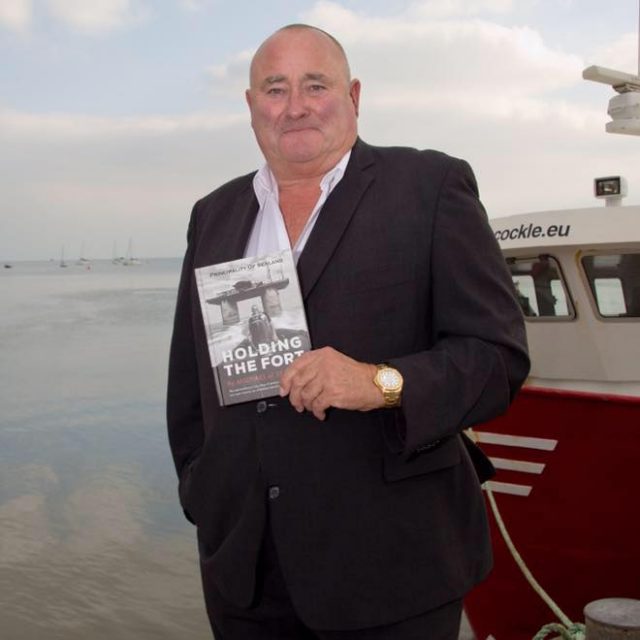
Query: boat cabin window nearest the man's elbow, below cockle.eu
pixel 540 287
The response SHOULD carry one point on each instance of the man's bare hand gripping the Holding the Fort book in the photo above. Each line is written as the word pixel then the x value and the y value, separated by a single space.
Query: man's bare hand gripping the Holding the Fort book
pixel 326 378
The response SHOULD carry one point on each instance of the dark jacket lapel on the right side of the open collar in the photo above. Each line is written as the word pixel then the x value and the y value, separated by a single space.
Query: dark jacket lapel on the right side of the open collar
pixel 335 216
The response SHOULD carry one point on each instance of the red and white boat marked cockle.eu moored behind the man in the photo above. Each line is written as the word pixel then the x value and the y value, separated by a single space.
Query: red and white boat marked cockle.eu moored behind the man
pixel 567 451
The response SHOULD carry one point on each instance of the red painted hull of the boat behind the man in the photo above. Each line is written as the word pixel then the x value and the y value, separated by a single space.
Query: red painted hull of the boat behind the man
pixel 578 530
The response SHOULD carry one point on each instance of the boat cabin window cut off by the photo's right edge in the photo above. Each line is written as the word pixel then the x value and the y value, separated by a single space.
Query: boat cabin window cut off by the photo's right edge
pixel 614 280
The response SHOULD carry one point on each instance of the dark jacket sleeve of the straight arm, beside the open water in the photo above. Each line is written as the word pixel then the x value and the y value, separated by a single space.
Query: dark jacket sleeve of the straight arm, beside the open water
pixel 184 412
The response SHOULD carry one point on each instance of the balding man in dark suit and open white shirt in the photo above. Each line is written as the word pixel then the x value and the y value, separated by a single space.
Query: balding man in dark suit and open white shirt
pixel 347 507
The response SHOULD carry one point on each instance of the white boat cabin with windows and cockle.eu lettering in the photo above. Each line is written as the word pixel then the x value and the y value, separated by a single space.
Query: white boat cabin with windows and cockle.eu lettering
pixel 577 276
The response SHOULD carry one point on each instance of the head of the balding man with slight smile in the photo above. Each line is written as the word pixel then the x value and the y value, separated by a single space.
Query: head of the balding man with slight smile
pixel 303 106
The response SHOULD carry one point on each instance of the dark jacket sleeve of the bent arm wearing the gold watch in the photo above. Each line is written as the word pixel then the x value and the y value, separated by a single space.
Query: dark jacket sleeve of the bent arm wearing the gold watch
pixel 479 357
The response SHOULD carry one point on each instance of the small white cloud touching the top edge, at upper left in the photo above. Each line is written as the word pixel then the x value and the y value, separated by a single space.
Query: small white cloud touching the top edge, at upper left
pixel 97 16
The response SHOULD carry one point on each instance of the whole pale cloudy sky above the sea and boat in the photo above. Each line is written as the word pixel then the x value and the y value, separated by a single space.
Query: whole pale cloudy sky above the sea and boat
pixel 117 115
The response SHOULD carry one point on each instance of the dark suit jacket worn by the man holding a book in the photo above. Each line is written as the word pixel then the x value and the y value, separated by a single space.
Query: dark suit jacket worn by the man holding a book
pixel 379 515
